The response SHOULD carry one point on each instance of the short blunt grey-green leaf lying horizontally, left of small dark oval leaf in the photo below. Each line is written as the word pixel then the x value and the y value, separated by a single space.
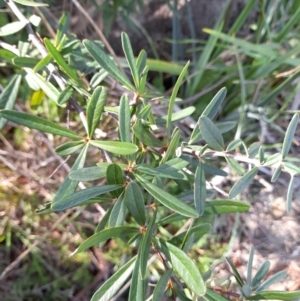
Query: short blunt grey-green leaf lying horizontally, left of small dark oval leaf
pixel 89 173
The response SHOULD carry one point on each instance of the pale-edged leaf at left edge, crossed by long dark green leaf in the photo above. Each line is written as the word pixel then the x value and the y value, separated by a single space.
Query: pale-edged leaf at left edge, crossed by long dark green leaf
pixel 8 97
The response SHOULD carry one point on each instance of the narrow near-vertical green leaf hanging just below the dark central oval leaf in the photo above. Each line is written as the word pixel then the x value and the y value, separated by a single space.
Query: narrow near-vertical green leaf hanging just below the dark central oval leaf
pixel 144 249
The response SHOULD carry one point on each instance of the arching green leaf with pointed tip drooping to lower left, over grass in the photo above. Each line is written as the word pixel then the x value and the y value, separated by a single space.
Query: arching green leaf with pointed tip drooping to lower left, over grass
pixel 104 236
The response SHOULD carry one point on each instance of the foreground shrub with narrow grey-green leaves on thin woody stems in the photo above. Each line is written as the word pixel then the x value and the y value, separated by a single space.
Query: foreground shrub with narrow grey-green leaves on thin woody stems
pixel 151 183
